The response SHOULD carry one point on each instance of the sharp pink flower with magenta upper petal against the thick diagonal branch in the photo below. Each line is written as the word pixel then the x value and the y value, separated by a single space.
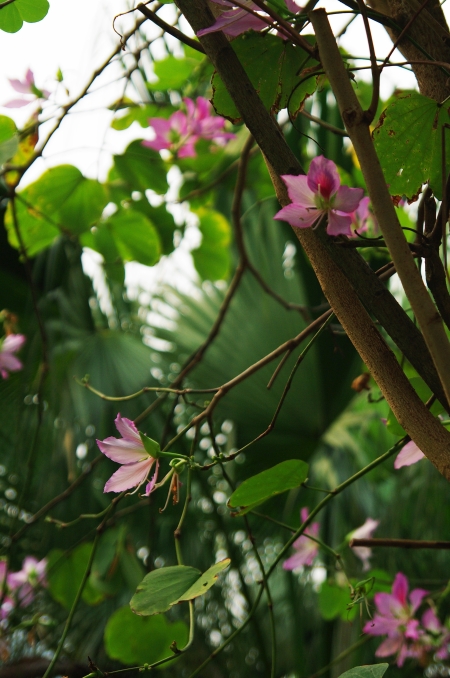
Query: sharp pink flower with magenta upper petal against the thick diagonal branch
pixel 319 195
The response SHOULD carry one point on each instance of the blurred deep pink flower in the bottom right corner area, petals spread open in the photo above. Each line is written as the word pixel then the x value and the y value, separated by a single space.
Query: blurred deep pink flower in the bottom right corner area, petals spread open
pixel 395 618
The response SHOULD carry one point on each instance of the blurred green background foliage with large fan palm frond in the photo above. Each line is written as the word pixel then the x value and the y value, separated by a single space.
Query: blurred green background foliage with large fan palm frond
pixel 127 339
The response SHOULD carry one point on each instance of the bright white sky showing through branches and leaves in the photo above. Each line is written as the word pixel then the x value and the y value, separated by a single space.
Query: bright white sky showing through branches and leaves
pixel 77 37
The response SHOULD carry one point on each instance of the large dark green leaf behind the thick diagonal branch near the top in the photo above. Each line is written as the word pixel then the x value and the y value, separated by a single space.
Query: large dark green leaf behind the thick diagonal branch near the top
pixel 273 68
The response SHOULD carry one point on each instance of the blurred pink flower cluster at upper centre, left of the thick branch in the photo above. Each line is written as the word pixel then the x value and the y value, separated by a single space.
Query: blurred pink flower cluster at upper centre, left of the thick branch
pixel 181 131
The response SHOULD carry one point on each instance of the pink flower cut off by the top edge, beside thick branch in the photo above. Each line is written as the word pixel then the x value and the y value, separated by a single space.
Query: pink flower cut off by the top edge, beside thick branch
pixel 237 20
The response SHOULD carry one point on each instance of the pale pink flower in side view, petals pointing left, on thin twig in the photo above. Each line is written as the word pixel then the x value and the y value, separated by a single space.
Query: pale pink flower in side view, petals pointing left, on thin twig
pixel 131 453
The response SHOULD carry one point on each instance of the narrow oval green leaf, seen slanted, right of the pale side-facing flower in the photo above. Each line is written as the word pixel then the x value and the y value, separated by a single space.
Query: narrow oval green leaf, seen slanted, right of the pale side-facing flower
pixel 263 486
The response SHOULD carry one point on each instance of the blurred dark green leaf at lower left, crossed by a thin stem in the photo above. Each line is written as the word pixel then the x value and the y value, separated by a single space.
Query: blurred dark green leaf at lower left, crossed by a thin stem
pixel 65 574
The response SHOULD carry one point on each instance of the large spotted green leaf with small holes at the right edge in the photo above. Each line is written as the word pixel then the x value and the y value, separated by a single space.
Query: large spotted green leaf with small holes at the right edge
pixel 408 141
